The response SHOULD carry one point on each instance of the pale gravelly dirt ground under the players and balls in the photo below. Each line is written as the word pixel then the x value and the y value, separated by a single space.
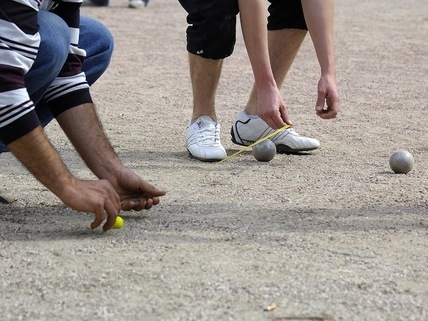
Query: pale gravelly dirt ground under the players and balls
pixel 330 235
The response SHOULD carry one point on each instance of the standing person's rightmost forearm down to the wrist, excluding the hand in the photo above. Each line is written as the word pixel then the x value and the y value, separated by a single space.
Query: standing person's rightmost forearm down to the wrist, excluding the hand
pixel 319 16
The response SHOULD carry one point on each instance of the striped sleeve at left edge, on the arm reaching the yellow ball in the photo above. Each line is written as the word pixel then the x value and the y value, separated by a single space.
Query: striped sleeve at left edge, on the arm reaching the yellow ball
pixel 19 43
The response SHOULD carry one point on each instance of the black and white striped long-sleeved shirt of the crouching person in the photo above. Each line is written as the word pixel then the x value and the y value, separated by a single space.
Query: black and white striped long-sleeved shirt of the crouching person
pixel 19 45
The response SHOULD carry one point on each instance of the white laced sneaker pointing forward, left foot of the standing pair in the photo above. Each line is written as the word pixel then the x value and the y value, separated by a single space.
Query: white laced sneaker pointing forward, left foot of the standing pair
pixel 203 140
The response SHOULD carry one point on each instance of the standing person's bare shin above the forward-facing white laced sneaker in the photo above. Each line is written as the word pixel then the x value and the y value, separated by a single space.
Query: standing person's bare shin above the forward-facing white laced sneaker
pixel 205 76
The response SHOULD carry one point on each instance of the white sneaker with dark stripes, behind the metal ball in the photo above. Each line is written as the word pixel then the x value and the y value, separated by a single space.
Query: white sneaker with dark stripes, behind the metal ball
pixel 247 129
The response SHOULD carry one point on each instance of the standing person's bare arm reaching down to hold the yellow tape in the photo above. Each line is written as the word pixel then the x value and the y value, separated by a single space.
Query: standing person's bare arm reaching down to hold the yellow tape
pixel 270 105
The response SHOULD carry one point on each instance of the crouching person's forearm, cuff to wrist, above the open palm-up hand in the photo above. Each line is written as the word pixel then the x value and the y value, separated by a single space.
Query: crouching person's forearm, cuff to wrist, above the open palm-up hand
pixel 83 128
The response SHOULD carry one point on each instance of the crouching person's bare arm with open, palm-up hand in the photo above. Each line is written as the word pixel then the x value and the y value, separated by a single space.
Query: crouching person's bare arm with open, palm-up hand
pixel 83 128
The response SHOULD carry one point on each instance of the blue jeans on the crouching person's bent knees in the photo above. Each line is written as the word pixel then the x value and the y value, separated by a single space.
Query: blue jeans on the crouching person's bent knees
pixel 55 40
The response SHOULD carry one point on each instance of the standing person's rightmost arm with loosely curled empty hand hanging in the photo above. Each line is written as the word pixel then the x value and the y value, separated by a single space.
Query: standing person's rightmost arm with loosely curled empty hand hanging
pixel 319 16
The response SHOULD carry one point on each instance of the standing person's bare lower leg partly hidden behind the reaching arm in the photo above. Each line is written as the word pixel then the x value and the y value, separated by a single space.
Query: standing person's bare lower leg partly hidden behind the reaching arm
pixel 283 47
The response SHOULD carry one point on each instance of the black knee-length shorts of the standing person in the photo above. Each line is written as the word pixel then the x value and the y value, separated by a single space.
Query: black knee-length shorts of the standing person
pixel 211 32
